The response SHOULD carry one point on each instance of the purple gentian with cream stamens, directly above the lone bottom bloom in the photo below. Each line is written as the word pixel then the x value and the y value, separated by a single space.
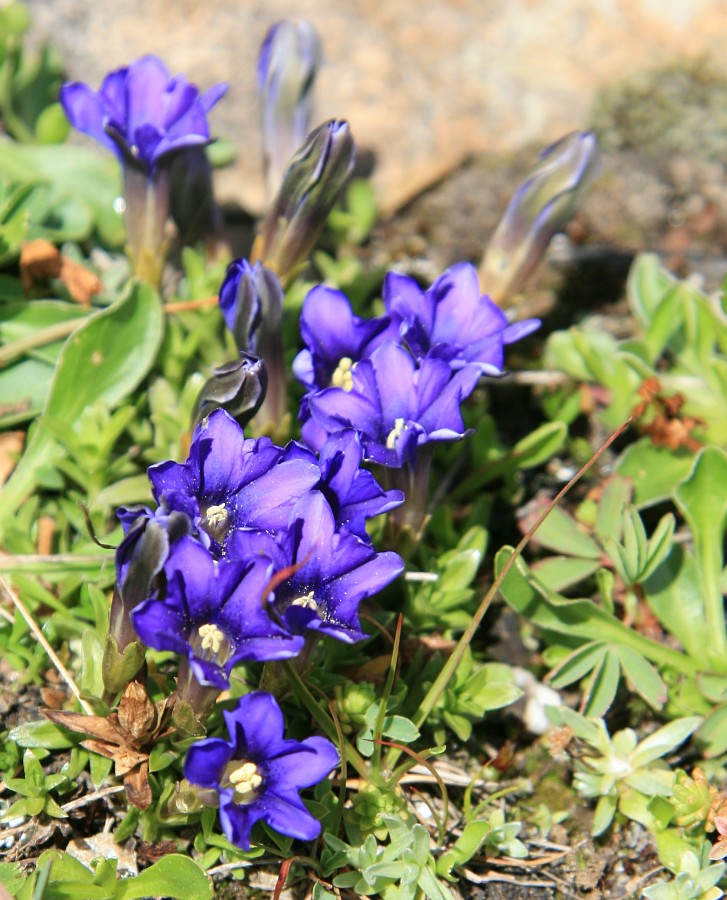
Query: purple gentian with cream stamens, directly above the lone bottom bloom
pixel 213 613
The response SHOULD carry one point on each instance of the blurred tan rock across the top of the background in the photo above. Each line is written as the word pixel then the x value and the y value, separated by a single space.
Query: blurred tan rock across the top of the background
pixel 425 86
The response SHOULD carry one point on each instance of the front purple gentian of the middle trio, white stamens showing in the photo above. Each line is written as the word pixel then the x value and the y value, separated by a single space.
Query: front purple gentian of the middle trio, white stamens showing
pixel 395 406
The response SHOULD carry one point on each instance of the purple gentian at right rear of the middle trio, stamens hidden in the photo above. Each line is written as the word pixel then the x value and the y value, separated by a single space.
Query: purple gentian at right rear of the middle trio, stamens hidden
pixel 451 321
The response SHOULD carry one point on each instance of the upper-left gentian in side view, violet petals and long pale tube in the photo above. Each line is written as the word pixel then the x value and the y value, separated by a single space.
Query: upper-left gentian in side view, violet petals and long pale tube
pixel 145 117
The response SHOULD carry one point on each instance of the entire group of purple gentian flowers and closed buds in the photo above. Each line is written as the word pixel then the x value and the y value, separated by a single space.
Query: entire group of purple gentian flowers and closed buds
pixel 254 551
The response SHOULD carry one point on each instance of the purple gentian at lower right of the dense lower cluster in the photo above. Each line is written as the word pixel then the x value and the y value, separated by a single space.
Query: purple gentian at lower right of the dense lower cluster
pixel 330 572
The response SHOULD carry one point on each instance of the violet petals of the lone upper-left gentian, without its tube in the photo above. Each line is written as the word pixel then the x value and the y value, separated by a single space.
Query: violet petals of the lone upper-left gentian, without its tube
pixel 141 113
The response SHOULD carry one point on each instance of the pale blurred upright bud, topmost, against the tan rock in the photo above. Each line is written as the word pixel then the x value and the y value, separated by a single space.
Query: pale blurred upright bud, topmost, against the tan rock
pixel 287 67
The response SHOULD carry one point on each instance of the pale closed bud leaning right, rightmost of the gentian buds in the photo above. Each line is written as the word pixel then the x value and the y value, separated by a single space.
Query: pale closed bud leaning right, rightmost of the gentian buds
pixel 539 208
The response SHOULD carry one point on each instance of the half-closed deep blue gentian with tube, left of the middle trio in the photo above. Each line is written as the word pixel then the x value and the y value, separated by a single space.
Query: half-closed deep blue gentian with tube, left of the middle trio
pixel 251 301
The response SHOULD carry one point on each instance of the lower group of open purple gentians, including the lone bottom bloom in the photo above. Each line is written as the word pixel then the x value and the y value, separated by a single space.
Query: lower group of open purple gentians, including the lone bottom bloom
pixel 256 550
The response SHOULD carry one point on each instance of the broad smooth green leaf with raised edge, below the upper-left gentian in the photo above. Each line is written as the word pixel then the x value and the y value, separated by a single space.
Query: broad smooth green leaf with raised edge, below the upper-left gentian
pixel 104 360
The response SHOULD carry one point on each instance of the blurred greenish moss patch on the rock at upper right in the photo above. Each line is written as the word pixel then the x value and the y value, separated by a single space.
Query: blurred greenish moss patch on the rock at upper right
pixel 679 108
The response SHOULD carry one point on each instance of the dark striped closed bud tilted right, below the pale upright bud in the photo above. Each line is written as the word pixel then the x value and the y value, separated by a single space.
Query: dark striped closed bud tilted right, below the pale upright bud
pixel 311 185
